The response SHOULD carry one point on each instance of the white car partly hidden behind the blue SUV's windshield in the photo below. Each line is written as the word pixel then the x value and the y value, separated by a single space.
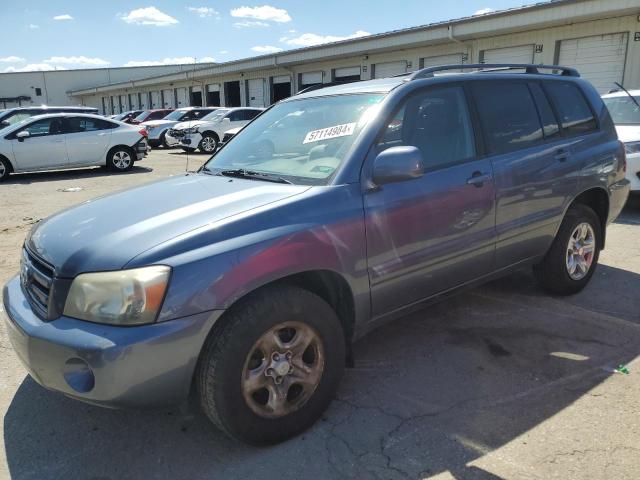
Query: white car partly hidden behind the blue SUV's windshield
pixel 206 134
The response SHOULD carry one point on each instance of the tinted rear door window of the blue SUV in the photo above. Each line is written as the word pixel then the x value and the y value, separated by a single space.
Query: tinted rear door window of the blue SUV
pixel 508 116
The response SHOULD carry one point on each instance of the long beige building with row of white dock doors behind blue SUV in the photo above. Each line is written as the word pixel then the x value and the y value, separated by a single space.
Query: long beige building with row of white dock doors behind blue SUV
pixel 601 38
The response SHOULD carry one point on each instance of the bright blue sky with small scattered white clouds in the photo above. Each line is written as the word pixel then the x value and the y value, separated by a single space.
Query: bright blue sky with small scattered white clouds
pixel 68 34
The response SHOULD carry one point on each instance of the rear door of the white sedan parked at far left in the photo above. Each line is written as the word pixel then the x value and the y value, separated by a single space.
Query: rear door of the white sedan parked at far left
pixel 87 139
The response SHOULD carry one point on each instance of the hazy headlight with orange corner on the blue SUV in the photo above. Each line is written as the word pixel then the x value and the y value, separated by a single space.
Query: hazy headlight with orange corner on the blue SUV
pixel 125 297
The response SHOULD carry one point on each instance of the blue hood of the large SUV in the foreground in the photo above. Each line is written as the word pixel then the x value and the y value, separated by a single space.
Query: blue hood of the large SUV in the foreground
pixel 106 233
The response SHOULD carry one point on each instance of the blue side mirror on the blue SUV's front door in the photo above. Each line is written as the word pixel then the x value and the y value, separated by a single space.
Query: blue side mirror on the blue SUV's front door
pixel 398 164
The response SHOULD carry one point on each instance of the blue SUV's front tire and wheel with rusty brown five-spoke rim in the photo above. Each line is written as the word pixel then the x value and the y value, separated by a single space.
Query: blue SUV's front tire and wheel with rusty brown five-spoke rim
pixel 270 369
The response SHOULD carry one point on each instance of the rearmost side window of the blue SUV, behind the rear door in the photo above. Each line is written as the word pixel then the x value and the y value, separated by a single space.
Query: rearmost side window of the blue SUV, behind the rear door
pixel 575 115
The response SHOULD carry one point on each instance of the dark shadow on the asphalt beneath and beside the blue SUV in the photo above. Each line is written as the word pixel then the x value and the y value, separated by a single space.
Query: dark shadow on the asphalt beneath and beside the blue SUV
pixel 429 393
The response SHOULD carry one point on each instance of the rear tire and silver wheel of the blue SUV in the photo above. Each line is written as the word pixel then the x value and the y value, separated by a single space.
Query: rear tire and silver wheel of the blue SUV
pixel 571 261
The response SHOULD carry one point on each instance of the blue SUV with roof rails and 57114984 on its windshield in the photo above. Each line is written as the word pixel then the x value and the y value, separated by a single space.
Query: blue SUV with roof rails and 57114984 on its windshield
pixel 249 286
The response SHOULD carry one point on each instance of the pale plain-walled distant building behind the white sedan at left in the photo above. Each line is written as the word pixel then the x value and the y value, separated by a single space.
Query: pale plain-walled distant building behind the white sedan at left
pixel 54 85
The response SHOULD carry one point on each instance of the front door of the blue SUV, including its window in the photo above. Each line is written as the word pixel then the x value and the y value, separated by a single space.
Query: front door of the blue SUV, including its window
pixel 430 234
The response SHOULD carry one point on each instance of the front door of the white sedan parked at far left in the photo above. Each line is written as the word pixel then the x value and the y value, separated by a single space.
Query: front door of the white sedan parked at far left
pixel 44 148
